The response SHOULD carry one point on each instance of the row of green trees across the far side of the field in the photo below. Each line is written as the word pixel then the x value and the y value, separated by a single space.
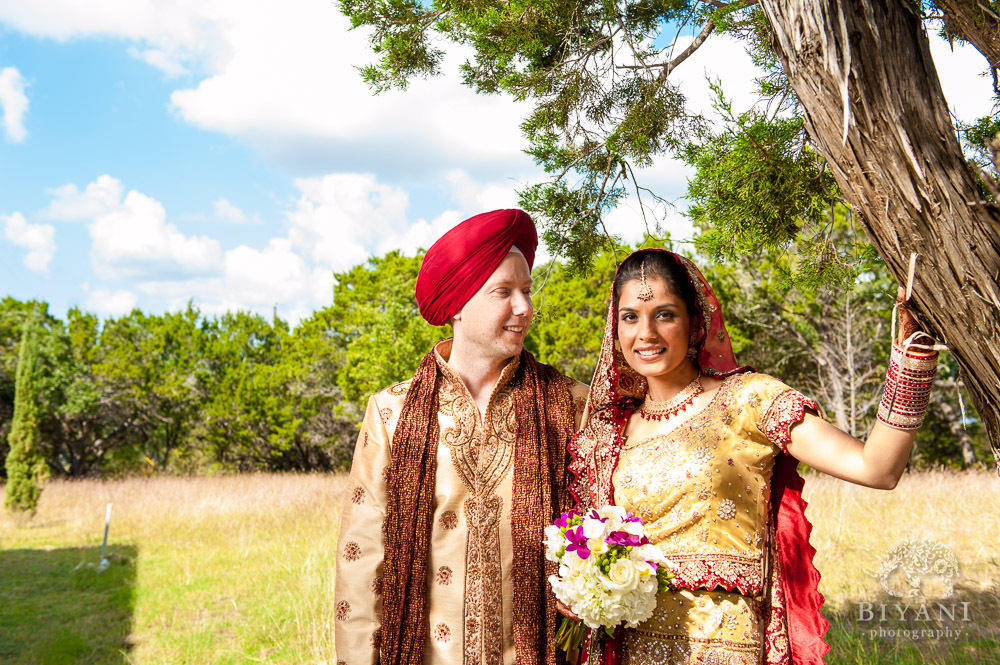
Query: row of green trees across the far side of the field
pixel 189 393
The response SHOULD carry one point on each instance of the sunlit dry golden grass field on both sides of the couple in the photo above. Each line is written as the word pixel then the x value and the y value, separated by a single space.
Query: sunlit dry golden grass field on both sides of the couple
pixel 240 569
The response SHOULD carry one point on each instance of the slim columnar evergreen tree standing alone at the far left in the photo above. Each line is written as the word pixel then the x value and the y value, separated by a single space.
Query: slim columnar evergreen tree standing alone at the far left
pixel 25 464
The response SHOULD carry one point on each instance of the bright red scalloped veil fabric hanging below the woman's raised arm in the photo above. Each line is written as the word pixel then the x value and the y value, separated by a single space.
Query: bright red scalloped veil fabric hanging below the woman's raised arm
pixel 806 625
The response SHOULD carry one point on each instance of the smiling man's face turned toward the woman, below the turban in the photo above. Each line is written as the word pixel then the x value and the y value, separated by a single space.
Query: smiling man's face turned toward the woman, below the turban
pixel 496 318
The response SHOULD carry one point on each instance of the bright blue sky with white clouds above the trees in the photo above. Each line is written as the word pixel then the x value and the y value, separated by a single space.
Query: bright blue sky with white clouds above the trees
pixel 227 152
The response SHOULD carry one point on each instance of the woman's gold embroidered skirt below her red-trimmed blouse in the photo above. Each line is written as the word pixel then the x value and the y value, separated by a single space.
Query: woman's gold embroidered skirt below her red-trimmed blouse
pixel 704 627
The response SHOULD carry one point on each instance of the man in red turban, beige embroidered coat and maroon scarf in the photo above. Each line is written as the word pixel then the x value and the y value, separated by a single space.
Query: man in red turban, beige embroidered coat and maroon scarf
pixel 457 471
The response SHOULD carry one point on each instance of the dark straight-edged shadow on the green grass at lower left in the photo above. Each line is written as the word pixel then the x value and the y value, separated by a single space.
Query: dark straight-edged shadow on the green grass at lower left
pixel 56 607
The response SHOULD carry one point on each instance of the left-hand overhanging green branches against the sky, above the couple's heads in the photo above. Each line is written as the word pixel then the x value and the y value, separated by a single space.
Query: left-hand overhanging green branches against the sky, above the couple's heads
pixel 593 69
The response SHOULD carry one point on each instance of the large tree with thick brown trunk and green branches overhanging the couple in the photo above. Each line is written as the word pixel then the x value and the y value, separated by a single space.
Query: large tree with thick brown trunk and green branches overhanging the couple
pixel 848 98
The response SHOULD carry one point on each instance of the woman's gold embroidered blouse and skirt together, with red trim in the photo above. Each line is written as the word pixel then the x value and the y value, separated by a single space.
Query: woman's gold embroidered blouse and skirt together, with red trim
pixel 703 490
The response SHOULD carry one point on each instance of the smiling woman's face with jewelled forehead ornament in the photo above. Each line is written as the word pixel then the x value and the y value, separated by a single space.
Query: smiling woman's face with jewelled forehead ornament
pixel 654 334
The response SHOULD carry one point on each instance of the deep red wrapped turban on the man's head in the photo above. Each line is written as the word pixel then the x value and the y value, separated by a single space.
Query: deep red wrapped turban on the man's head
pixel 463 259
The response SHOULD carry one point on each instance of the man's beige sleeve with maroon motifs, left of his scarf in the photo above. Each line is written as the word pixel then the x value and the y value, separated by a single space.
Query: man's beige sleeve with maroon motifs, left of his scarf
pixel 358 597
